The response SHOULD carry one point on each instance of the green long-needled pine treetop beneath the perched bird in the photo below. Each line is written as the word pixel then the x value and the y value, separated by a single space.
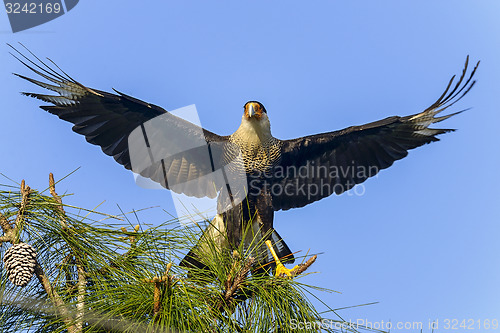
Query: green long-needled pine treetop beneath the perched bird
pixel 96 275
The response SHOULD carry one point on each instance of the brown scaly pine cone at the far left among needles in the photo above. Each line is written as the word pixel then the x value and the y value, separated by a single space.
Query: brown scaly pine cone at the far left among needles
pixel 20 261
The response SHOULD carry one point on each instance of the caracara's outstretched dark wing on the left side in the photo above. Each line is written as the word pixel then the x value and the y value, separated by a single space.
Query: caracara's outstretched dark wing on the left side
pixel 183 165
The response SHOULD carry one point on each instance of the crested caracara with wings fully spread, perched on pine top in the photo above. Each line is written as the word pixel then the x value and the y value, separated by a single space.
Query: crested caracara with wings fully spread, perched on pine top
pixel 271 174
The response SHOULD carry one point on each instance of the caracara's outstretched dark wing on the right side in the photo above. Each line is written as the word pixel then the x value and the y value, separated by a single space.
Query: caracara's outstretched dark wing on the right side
pixel 314 167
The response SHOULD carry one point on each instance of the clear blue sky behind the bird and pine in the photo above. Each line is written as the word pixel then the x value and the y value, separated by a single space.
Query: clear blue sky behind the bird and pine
pixel 423 240
